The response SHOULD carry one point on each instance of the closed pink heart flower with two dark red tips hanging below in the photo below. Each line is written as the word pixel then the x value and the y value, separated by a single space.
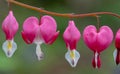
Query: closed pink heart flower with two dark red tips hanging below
pixel 97 41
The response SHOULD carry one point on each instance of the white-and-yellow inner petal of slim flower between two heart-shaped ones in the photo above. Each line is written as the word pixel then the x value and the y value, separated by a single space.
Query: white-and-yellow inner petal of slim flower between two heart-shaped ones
pixel 72 59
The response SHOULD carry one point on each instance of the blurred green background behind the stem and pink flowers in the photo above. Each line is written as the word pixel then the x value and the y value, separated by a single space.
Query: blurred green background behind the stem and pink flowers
pixel 24 61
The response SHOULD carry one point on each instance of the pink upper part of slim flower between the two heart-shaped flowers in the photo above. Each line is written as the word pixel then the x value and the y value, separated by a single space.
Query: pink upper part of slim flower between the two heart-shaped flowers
pixel 71 35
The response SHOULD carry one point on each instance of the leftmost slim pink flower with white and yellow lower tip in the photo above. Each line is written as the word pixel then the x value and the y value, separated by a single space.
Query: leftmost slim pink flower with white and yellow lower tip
pixel 10 27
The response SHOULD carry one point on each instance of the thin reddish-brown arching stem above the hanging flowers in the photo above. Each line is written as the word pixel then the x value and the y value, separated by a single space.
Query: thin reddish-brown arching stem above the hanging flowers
pixel 69 15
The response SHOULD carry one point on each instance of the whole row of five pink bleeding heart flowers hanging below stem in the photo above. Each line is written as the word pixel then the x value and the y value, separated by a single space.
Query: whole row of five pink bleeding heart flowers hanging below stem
pixel 44 31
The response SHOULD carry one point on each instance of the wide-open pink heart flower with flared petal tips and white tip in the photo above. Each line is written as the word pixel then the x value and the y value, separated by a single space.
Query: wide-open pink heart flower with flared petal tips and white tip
pixel 38 32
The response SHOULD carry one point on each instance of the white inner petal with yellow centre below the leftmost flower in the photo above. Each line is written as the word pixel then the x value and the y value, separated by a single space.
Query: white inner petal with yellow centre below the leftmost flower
pixel 9 47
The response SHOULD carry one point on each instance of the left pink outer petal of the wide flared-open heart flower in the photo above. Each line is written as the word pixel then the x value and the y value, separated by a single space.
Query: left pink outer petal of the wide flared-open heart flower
pixel 30 26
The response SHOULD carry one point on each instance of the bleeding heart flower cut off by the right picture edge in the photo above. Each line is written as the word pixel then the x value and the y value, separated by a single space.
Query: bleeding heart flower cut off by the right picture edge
pixel 116 53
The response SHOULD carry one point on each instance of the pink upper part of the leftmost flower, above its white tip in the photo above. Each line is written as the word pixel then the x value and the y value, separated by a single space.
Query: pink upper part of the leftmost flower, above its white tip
pixel 10 26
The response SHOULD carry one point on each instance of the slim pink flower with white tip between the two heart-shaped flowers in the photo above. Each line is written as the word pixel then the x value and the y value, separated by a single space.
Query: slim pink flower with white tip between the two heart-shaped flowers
pixel 71 37
